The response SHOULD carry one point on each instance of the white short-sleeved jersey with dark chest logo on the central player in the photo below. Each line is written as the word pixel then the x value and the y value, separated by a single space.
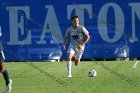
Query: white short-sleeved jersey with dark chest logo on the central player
pixel 77 35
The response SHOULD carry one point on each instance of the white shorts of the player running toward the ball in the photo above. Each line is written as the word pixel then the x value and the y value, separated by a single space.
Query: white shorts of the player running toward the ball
pixel 76 51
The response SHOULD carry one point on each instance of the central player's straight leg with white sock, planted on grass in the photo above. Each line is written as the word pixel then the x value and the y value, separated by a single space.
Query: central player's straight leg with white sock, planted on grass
pixel 70 54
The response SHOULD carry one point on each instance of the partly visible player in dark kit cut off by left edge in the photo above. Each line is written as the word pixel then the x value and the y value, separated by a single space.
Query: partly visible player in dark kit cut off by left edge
pixel 3 70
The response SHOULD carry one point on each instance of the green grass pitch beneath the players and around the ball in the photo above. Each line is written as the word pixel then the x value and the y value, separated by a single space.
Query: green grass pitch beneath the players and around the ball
pixel 50 77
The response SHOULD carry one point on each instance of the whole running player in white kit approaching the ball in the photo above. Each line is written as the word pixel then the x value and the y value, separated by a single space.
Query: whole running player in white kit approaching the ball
pixel 79 36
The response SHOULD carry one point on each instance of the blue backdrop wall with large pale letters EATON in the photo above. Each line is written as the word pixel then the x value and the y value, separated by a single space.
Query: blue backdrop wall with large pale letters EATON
pixel 33 29
